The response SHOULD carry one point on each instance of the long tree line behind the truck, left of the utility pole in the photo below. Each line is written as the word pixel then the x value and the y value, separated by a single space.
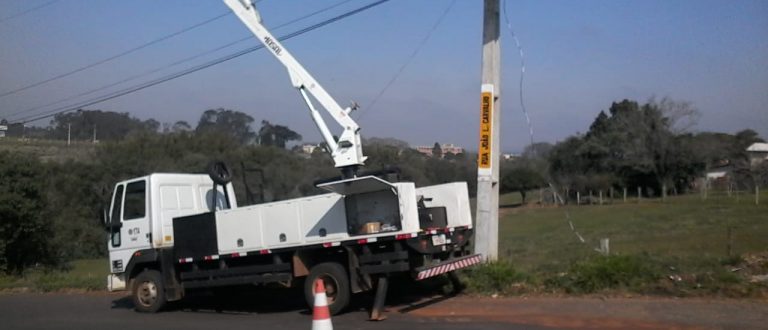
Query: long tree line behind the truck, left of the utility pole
pixel 50 210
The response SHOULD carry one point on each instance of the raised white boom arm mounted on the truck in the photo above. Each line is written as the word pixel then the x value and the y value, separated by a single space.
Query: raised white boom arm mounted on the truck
pixel 347 152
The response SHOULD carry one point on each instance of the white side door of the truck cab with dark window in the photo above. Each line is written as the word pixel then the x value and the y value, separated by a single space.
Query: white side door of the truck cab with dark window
pixel 131 209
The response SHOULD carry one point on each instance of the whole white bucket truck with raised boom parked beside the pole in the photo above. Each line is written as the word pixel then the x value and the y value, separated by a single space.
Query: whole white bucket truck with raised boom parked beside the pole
pixel 171 233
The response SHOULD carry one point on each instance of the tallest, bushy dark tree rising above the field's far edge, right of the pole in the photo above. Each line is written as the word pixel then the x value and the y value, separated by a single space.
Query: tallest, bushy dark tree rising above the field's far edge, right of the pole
pixel 640 145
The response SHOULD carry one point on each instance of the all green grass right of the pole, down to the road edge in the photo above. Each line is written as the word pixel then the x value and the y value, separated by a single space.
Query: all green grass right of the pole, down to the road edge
pixel 679 246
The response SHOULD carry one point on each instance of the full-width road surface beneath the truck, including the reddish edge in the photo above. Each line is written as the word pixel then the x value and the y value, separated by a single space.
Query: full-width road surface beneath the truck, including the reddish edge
pixel 283 309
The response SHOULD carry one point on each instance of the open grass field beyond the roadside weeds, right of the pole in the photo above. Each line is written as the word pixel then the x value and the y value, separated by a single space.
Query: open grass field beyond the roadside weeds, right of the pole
pixel 687 226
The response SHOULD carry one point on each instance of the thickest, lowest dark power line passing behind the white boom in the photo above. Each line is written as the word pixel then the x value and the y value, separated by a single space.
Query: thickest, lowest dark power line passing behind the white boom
pixel 193 69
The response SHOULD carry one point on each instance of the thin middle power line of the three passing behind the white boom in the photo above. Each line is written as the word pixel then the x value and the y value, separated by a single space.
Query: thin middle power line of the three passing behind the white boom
pixel 170 65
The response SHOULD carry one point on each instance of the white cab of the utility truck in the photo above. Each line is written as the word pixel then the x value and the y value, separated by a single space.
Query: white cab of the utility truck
pixel 141 214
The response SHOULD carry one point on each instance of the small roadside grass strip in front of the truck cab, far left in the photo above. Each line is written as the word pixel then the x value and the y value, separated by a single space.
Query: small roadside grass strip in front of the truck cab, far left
pixel 86 275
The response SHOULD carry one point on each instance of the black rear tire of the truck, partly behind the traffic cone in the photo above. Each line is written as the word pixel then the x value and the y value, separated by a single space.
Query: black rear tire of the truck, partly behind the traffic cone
pixel 336 282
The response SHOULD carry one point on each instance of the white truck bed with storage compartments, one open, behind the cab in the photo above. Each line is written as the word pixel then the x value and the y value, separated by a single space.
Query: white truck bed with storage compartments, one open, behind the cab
pixel 330 220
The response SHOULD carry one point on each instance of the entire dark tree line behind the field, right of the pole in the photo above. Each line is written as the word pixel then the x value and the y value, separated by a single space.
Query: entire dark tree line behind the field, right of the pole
pixel 646 145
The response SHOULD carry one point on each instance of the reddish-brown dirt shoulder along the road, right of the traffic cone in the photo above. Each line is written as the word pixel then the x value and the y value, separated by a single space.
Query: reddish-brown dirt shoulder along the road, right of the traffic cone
pixel 597 313
